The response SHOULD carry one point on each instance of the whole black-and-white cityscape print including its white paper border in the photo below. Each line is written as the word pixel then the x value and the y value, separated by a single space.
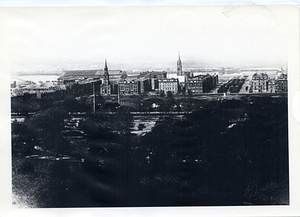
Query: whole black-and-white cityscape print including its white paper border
pixel 152 106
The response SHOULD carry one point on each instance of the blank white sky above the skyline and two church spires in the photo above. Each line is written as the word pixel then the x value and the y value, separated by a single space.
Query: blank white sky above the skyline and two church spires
pixel 147 36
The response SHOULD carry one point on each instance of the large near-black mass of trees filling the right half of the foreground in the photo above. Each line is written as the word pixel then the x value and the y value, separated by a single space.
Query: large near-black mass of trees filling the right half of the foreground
pixel 233 153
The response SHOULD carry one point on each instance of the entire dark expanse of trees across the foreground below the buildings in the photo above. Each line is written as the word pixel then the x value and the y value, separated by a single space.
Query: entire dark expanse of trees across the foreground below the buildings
pixel 226 152
